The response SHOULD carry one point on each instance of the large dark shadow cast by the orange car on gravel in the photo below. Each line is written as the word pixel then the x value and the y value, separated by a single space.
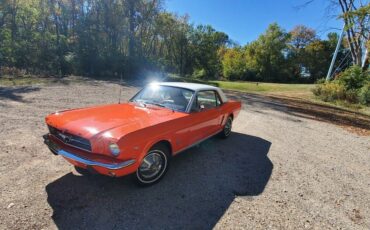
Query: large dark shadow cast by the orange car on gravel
pixel 197 190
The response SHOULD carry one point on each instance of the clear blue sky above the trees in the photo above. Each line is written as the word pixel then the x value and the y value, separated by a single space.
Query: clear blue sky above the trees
pixel 245 20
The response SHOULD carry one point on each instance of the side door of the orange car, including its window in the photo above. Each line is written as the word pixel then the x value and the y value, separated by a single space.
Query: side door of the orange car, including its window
pixel 205 114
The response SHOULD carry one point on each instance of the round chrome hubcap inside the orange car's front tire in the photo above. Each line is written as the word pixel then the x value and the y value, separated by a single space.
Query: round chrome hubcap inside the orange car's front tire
pixel 151 165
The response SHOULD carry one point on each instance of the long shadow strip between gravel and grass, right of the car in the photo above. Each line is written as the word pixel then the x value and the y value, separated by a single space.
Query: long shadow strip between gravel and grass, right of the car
pixel 305 109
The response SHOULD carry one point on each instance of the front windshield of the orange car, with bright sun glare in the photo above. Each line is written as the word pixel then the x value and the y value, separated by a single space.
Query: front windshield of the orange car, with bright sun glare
pixel 164 96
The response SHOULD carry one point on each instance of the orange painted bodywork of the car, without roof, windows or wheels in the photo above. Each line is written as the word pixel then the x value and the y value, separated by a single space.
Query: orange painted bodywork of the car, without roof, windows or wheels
pixel 136 129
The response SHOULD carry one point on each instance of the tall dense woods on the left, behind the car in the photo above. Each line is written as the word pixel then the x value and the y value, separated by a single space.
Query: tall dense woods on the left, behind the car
pixel 96 37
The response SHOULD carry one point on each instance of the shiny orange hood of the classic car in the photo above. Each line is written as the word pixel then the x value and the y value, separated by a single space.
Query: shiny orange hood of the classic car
pixel 90 122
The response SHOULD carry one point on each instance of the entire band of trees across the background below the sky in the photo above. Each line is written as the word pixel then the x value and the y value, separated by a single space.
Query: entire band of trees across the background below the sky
pixel 131 37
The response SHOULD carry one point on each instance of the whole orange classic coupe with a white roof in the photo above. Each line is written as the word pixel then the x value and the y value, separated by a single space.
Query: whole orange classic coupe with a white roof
pixel 141 135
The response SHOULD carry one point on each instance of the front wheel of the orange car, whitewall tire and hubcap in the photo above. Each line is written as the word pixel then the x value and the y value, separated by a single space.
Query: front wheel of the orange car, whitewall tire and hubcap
pixel 155 167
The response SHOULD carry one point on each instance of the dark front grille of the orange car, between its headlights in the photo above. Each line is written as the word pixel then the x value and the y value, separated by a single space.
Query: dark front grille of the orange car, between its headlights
pixel 70 139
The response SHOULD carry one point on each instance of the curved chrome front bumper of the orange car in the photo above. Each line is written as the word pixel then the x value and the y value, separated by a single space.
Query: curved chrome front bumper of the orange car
pixel 57 151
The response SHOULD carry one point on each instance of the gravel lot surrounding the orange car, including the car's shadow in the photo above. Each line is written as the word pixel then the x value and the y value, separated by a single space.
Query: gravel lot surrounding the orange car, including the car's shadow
pixel 282 168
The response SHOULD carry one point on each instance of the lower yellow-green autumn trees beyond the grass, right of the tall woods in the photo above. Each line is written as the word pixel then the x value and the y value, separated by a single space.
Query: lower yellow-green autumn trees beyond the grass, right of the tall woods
pixel 280 56
